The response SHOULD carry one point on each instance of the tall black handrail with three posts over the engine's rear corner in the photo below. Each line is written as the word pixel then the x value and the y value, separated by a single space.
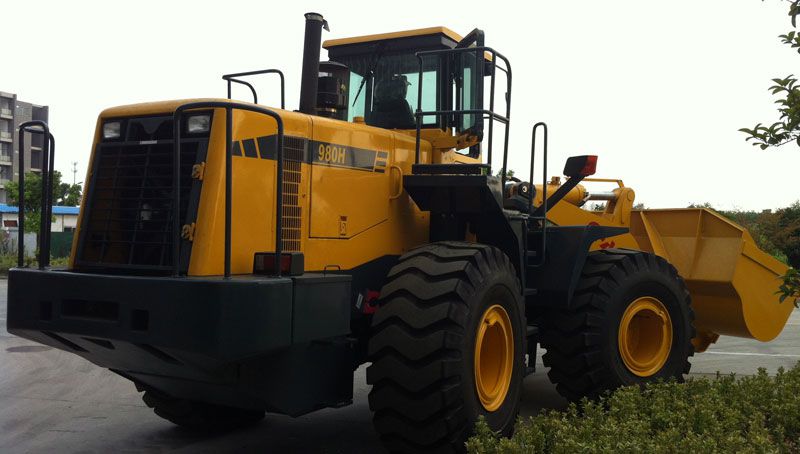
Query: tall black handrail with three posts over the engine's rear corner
pixel 229 108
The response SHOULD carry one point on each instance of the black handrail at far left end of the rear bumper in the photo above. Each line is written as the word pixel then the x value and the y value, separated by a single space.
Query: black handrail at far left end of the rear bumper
pixel 46 214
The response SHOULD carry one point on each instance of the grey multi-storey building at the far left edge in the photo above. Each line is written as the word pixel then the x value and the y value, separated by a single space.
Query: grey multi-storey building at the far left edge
pixel 14 112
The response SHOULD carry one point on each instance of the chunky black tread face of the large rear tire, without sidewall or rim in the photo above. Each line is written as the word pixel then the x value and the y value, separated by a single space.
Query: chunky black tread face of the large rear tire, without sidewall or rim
pixel 416 345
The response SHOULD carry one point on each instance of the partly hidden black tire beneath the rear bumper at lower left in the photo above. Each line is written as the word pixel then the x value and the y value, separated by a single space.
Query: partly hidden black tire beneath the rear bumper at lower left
pixel 200 416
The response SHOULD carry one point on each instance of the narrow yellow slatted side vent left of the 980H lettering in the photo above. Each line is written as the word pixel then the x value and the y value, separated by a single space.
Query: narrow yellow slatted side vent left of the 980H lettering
pixel 294 149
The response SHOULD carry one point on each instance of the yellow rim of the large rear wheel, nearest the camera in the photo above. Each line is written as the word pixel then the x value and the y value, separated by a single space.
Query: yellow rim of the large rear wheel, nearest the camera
pixel 494 357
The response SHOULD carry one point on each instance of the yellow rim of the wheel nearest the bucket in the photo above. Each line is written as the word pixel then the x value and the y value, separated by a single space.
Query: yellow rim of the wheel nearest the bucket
pixel 645 336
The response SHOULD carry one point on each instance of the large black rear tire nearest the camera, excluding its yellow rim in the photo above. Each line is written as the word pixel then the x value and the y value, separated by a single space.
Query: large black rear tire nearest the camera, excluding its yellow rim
pixel 423 393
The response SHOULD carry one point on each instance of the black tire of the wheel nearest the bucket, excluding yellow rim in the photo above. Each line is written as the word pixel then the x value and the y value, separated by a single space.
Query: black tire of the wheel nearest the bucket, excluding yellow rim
pixel 582 341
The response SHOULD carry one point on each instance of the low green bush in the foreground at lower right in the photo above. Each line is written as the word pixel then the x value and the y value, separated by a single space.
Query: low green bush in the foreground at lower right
pixel 758 414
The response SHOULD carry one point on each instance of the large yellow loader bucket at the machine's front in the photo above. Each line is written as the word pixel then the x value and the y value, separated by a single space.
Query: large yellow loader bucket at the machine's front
pixel 732 282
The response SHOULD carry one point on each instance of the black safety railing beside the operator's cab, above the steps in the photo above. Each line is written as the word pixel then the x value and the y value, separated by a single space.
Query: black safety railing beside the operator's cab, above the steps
pixel 489 113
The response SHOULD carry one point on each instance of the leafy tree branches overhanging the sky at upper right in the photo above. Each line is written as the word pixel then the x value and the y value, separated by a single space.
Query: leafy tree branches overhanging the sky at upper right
pixel 787 128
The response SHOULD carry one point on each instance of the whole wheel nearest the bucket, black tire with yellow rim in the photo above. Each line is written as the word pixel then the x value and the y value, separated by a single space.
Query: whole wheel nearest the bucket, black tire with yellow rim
pixel 630 322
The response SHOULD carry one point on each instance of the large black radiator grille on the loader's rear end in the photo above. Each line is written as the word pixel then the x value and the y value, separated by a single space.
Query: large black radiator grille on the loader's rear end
pixel 129 221
